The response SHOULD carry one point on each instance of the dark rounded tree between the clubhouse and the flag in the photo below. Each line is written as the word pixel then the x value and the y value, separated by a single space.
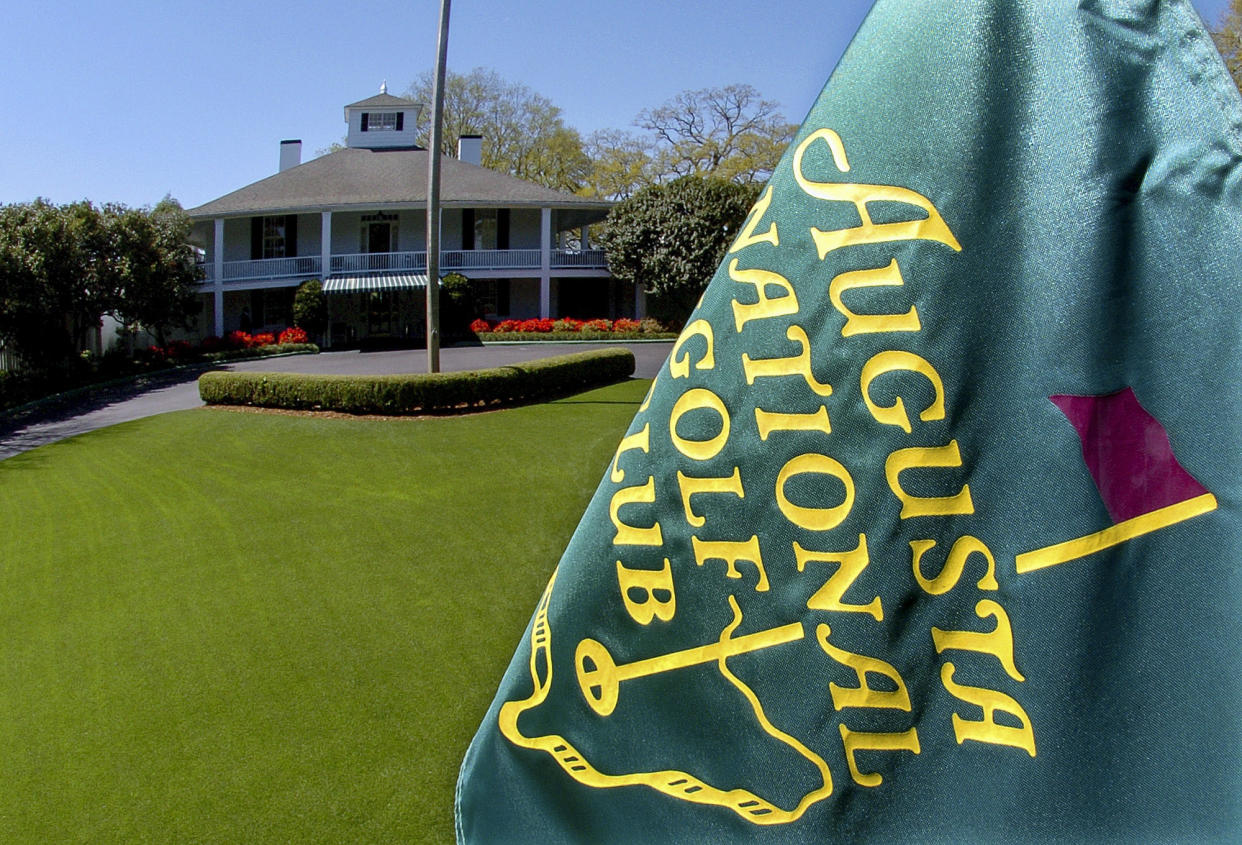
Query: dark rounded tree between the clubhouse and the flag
pixel 673 237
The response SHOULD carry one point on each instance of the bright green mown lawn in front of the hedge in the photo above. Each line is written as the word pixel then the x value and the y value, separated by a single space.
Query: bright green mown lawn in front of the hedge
pixel 229 627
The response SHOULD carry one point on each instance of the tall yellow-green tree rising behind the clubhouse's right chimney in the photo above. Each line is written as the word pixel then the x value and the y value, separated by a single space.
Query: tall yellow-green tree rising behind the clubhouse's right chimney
pixel 524 134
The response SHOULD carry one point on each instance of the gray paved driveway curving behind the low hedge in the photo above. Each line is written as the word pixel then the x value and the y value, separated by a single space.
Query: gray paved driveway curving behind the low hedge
pixel 179 391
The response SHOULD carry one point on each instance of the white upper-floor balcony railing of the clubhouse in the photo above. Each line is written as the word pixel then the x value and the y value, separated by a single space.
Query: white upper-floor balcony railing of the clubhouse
pixel 361 263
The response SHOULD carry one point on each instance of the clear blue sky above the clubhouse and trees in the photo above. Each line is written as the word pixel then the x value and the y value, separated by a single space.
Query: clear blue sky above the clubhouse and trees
pixel 130 100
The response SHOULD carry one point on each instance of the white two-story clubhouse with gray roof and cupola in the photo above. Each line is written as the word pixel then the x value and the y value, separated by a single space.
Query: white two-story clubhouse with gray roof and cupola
pixel 356 219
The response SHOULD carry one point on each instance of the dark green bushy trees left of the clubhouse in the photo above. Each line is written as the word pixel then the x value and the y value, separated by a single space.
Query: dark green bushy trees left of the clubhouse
pixel 63 268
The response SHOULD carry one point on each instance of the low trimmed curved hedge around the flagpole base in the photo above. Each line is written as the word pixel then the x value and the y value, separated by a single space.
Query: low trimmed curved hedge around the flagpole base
pixel 420 393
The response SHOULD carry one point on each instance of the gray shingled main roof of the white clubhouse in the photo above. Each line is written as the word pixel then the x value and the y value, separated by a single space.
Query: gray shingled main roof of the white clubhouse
pixel 360 178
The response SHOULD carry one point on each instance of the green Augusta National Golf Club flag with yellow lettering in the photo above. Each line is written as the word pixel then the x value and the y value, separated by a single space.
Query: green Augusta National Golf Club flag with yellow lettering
pixel 930 528
